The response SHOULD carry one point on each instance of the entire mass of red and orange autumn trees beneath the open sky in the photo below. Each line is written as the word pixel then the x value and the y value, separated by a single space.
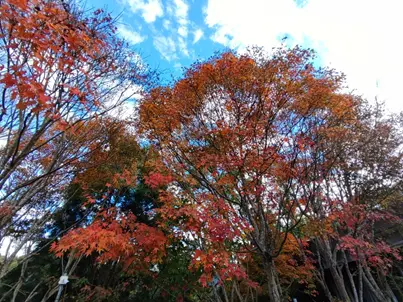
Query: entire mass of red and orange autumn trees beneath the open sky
pixel 254 176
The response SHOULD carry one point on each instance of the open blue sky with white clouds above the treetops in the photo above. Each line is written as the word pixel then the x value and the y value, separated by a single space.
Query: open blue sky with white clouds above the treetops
pixel 361 38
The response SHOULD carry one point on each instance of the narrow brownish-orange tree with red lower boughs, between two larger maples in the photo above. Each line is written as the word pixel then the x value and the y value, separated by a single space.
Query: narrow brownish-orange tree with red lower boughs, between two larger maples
pixel 119 230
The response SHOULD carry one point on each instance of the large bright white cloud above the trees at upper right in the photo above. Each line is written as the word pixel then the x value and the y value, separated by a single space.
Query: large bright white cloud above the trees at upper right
pixel 360 38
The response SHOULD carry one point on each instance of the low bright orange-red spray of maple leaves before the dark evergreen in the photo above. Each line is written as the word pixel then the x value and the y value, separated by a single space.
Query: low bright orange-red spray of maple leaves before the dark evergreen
pixel 112 236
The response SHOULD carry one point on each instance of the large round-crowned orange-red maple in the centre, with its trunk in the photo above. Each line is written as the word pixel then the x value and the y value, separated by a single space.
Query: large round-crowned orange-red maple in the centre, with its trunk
pixel 239 137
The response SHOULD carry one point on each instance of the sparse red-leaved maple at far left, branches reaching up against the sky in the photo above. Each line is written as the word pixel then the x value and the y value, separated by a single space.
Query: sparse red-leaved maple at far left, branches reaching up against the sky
pixel 59 70
